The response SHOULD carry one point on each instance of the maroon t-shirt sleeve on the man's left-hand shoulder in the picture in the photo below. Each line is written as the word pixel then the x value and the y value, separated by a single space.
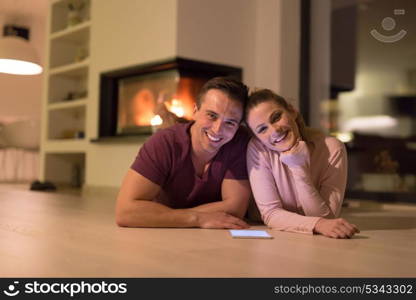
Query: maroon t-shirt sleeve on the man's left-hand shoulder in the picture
pixel 155 158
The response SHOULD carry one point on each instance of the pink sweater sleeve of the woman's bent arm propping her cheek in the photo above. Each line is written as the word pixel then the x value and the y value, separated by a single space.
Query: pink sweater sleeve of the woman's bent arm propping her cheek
pixel 325 200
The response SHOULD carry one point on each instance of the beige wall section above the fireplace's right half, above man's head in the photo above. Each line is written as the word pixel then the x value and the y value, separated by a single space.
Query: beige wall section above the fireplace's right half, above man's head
pixel 218 31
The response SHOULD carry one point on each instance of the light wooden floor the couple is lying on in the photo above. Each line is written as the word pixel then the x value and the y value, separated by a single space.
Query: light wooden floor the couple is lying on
pixel 54 235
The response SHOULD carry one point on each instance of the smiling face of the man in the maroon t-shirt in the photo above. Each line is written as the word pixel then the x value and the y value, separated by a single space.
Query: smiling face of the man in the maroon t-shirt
pixel 216 121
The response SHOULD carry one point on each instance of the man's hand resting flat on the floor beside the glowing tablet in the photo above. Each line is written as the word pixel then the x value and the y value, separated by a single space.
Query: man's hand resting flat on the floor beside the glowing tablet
pixel 219 220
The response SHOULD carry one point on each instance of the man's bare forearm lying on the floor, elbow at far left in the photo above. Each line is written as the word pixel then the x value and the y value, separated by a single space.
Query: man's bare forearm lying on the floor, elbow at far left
pixel 142 213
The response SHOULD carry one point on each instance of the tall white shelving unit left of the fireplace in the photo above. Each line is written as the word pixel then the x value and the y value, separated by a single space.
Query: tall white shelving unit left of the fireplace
pixel 65 101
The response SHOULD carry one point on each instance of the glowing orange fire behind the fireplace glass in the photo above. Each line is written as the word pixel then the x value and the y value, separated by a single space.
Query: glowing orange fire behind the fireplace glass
pixel 156 99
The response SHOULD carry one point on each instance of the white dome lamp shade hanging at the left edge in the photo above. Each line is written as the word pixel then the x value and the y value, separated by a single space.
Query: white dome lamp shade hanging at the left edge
pixel 18 57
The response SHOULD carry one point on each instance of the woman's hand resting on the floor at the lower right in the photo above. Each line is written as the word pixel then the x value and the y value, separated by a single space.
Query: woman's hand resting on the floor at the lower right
pixel 335 228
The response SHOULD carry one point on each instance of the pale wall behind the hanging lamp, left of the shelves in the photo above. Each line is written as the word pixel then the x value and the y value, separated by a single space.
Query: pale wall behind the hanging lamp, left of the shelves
pixel 20 96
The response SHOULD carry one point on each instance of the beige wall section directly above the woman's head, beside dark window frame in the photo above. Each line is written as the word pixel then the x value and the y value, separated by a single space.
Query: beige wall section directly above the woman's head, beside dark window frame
pixel 277 47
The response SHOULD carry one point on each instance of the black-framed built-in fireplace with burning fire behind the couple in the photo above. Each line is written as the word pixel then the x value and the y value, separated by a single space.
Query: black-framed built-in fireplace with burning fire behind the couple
pixel 136 100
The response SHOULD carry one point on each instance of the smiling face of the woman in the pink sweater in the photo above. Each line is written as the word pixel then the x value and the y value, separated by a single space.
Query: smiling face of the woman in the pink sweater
pixel 274 126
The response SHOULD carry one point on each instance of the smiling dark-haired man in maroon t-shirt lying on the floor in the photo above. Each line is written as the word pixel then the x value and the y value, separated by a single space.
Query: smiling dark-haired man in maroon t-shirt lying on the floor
pixel 193 174
